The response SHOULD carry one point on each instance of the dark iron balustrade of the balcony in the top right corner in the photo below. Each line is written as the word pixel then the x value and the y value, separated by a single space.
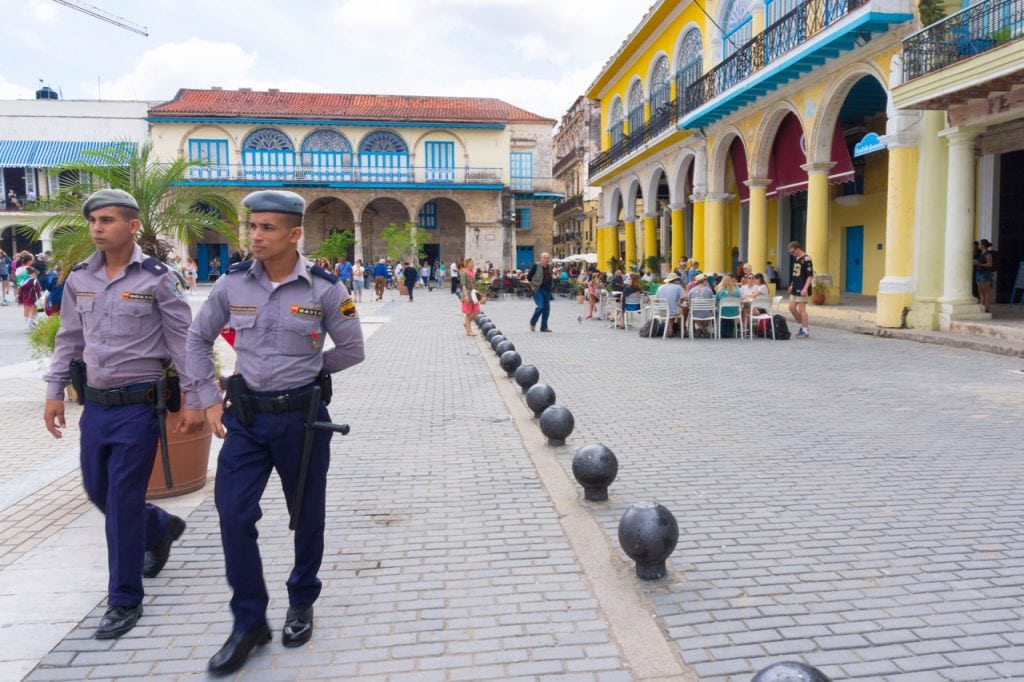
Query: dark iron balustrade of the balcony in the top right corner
pixel 972 31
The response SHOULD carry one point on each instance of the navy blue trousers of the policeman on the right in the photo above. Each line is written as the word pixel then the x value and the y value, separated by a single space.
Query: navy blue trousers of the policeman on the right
pixel 249 454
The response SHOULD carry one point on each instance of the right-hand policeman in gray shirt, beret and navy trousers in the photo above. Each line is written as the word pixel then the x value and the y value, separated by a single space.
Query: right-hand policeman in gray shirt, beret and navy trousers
pixel 281 309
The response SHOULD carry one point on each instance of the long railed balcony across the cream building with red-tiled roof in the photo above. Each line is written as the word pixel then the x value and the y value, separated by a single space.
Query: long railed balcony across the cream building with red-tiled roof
pixel 412 177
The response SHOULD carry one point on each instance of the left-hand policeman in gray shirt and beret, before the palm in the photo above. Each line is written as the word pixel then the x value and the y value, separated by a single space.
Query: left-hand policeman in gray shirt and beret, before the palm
pixel 126 318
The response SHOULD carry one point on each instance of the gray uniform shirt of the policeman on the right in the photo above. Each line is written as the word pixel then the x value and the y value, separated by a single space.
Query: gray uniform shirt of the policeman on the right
pixel 279 330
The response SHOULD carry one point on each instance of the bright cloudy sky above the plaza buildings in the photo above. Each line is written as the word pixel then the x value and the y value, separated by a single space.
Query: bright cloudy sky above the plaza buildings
pixel 539 55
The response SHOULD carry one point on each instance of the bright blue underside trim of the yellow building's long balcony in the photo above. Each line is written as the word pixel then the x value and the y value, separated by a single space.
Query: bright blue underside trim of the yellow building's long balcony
pixel 789 68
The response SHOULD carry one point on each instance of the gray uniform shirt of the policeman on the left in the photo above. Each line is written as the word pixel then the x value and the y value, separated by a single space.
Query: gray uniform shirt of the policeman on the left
pixel 124 328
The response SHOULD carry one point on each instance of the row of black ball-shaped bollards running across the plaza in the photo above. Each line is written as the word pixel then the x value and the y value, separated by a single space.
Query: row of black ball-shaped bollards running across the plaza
pixel 648 532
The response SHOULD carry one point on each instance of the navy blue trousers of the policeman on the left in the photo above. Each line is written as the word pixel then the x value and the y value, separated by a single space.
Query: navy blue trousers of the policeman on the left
pixel 118 449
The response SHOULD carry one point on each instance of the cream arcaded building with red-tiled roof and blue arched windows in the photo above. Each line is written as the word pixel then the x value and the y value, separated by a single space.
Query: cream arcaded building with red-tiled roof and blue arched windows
pixel 475 173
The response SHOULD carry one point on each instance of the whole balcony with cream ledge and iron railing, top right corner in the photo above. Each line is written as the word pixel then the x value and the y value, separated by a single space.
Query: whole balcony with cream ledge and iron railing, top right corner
pixel 968 56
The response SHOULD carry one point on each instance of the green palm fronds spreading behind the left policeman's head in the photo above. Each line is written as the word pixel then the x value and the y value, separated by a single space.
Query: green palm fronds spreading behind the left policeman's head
pixel 167 208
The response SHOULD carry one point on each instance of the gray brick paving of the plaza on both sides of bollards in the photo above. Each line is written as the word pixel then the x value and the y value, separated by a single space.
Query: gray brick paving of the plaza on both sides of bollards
pixel 847 501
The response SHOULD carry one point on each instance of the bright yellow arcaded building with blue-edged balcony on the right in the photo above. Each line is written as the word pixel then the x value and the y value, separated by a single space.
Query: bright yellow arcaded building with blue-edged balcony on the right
pixel 734 127
